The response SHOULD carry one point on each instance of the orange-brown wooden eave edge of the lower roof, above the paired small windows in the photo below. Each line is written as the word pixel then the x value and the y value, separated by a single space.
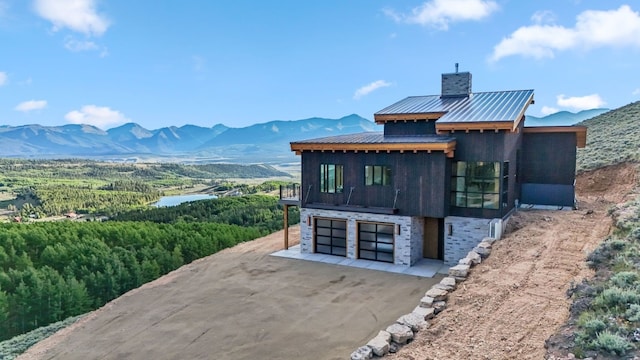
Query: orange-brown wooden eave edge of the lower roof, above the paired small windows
pixel 446 147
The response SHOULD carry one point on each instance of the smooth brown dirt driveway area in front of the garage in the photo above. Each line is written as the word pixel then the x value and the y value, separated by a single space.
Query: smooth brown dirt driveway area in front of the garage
pixel 242 304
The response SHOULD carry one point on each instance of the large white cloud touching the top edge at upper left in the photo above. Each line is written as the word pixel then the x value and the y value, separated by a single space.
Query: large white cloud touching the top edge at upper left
pixel 76 15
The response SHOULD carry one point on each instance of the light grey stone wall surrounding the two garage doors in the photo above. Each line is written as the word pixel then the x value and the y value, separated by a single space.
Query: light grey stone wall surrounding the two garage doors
pixel 407 244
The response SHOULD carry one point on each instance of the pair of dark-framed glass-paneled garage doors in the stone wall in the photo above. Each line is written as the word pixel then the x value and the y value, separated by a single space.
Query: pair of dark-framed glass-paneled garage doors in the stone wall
pixel 375 241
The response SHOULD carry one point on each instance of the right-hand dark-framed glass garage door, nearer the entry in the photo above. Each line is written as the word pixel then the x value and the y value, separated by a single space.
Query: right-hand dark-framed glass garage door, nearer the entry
pixel 375 242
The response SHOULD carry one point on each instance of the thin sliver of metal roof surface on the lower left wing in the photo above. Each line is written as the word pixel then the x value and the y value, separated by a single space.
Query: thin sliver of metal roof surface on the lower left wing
pixel 378 138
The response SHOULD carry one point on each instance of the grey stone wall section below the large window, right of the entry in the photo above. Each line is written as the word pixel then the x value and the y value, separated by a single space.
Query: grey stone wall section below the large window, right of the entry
pixel 466 234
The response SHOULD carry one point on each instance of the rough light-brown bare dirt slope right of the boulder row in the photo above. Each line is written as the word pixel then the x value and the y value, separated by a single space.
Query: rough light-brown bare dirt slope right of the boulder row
pixel 514 301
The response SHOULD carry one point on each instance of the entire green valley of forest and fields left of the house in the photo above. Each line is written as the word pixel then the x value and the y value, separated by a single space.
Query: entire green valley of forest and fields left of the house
pixel 51 270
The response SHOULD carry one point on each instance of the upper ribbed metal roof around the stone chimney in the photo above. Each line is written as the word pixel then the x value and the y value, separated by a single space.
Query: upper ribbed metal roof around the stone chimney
pixel 496 106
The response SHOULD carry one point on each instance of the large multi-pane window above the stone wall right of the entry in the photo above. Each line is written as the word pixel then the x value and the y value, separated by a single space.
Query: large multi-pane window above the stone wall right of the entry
pixel 475 185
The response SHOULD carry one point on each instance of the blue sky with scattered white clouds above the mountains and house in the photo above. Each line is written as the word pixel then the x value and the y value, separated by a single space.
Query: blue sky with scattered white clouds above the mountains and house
pixel 162 63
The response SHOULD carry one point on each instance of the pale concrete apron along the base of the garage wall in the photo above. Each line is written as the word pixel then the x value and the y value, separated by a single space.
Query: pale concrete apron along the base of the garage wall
pixel 423 268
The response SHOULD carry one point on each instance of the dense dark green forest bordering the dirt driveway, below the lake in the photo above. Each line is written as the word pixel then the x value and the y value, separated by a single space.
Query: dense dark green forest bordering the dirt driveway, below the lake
pixel 53 270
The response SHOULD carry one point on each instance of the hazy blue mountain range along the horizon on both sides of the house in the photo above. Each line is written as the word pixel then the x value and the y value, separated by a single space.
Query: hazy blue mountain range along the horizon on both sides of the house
pixel 265 142
